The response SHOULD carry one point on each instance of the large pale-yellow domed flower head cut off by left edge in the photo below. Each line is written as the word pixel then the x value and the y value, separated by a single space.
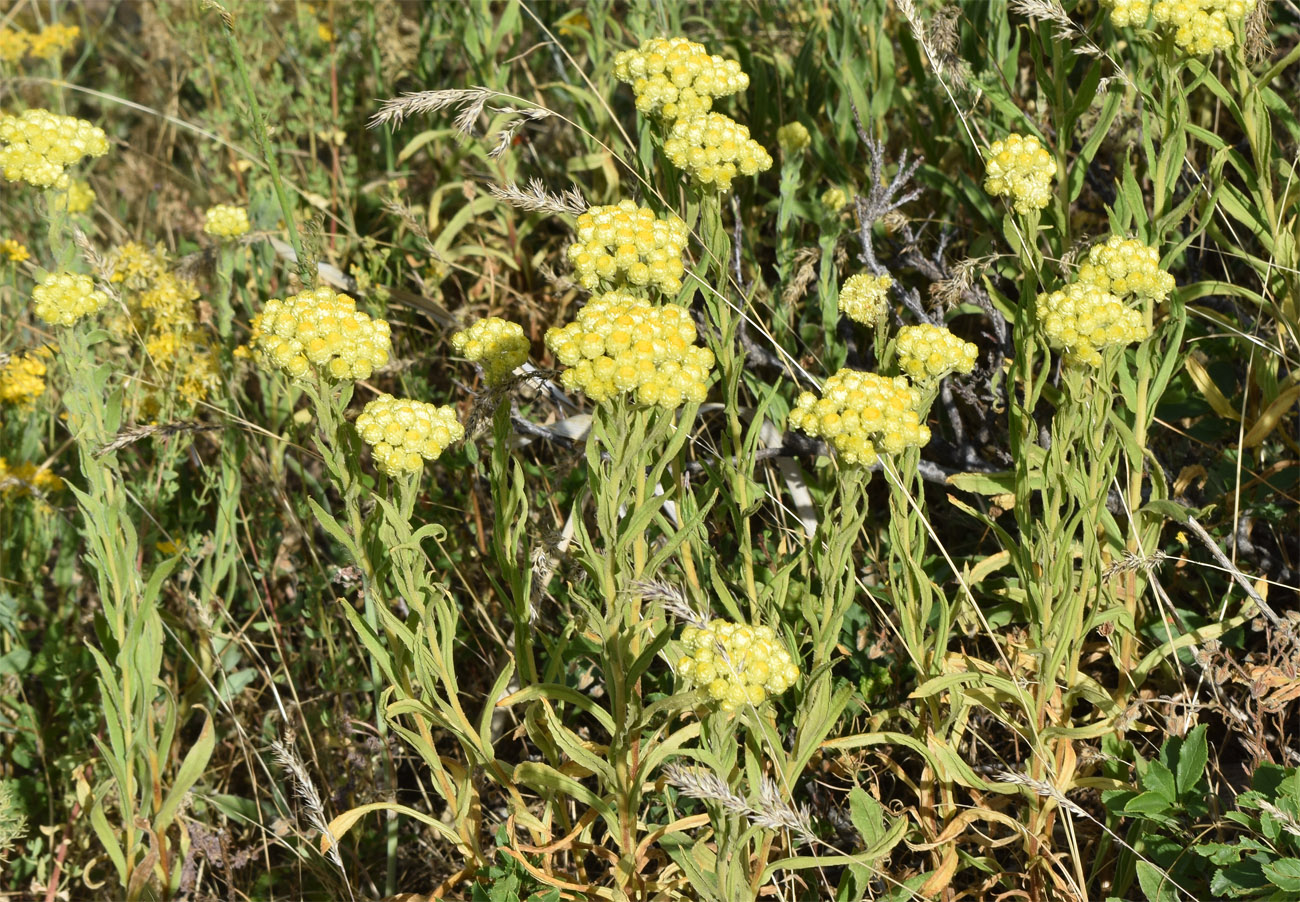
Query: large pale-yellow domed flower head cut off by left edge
pixel 40 145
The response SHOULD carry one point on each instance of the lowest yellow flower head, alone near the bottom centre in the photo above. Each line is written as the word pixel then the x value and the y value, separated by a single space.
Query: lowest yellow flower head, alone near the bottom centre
pixel 735 664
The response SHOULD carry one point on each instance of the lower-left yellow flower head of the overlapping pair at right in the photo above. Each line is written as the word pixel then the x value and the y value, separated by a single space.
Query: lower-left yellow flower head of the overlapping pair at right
pixel 1084 319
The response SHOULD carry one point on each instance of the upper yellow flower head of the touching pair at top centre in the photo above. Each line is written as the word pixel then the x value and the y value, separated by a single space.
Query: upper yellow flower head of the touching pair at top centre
pixel 677 79
